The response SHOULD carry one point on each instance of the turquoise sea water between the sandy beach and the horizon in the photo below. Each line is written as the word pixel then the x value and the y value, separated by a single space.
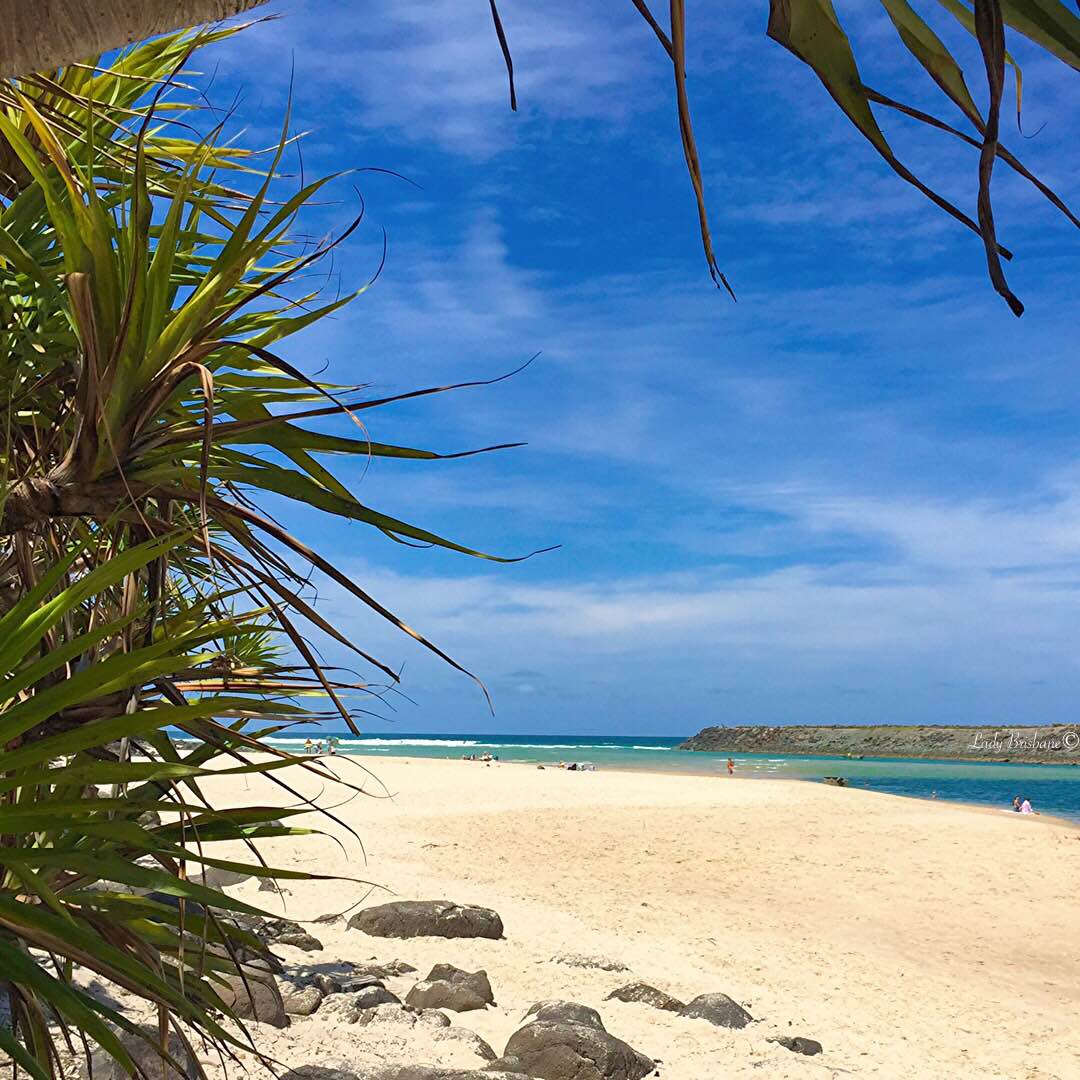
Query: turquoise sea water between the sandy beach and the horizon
pixel 1052 789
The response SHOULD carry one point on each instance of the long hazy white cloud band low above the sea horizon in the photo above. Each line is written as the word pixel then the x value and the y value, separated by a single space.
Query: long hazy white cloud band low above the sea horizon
pixel 976 591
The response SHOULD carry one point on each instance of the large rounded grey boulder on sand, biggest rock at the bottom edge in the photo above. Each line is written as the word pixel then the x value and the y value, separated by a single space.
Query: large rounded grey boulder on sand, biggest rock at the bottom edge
pixel 568 1051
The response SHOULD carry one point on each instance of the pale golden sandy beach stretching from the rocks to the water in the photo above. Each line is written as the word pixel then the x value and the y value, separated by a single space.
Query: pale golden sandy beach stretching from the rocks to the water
pixel 911 939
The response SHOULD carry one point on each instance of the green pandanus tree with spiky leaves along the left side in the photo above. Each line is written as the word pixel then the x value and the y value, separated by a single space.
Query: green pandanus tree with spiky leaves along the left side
pixel 146 280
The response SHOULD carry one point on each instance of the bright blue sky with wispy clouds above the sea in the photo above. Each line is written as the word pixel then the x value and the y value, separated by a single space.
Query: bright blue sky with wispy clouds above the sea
pixel 854 496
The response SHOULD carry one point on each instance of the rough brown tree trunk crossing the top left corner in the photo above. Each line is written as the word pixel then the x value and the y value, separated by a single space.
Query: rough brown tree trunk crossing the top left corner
pixel 40 35
